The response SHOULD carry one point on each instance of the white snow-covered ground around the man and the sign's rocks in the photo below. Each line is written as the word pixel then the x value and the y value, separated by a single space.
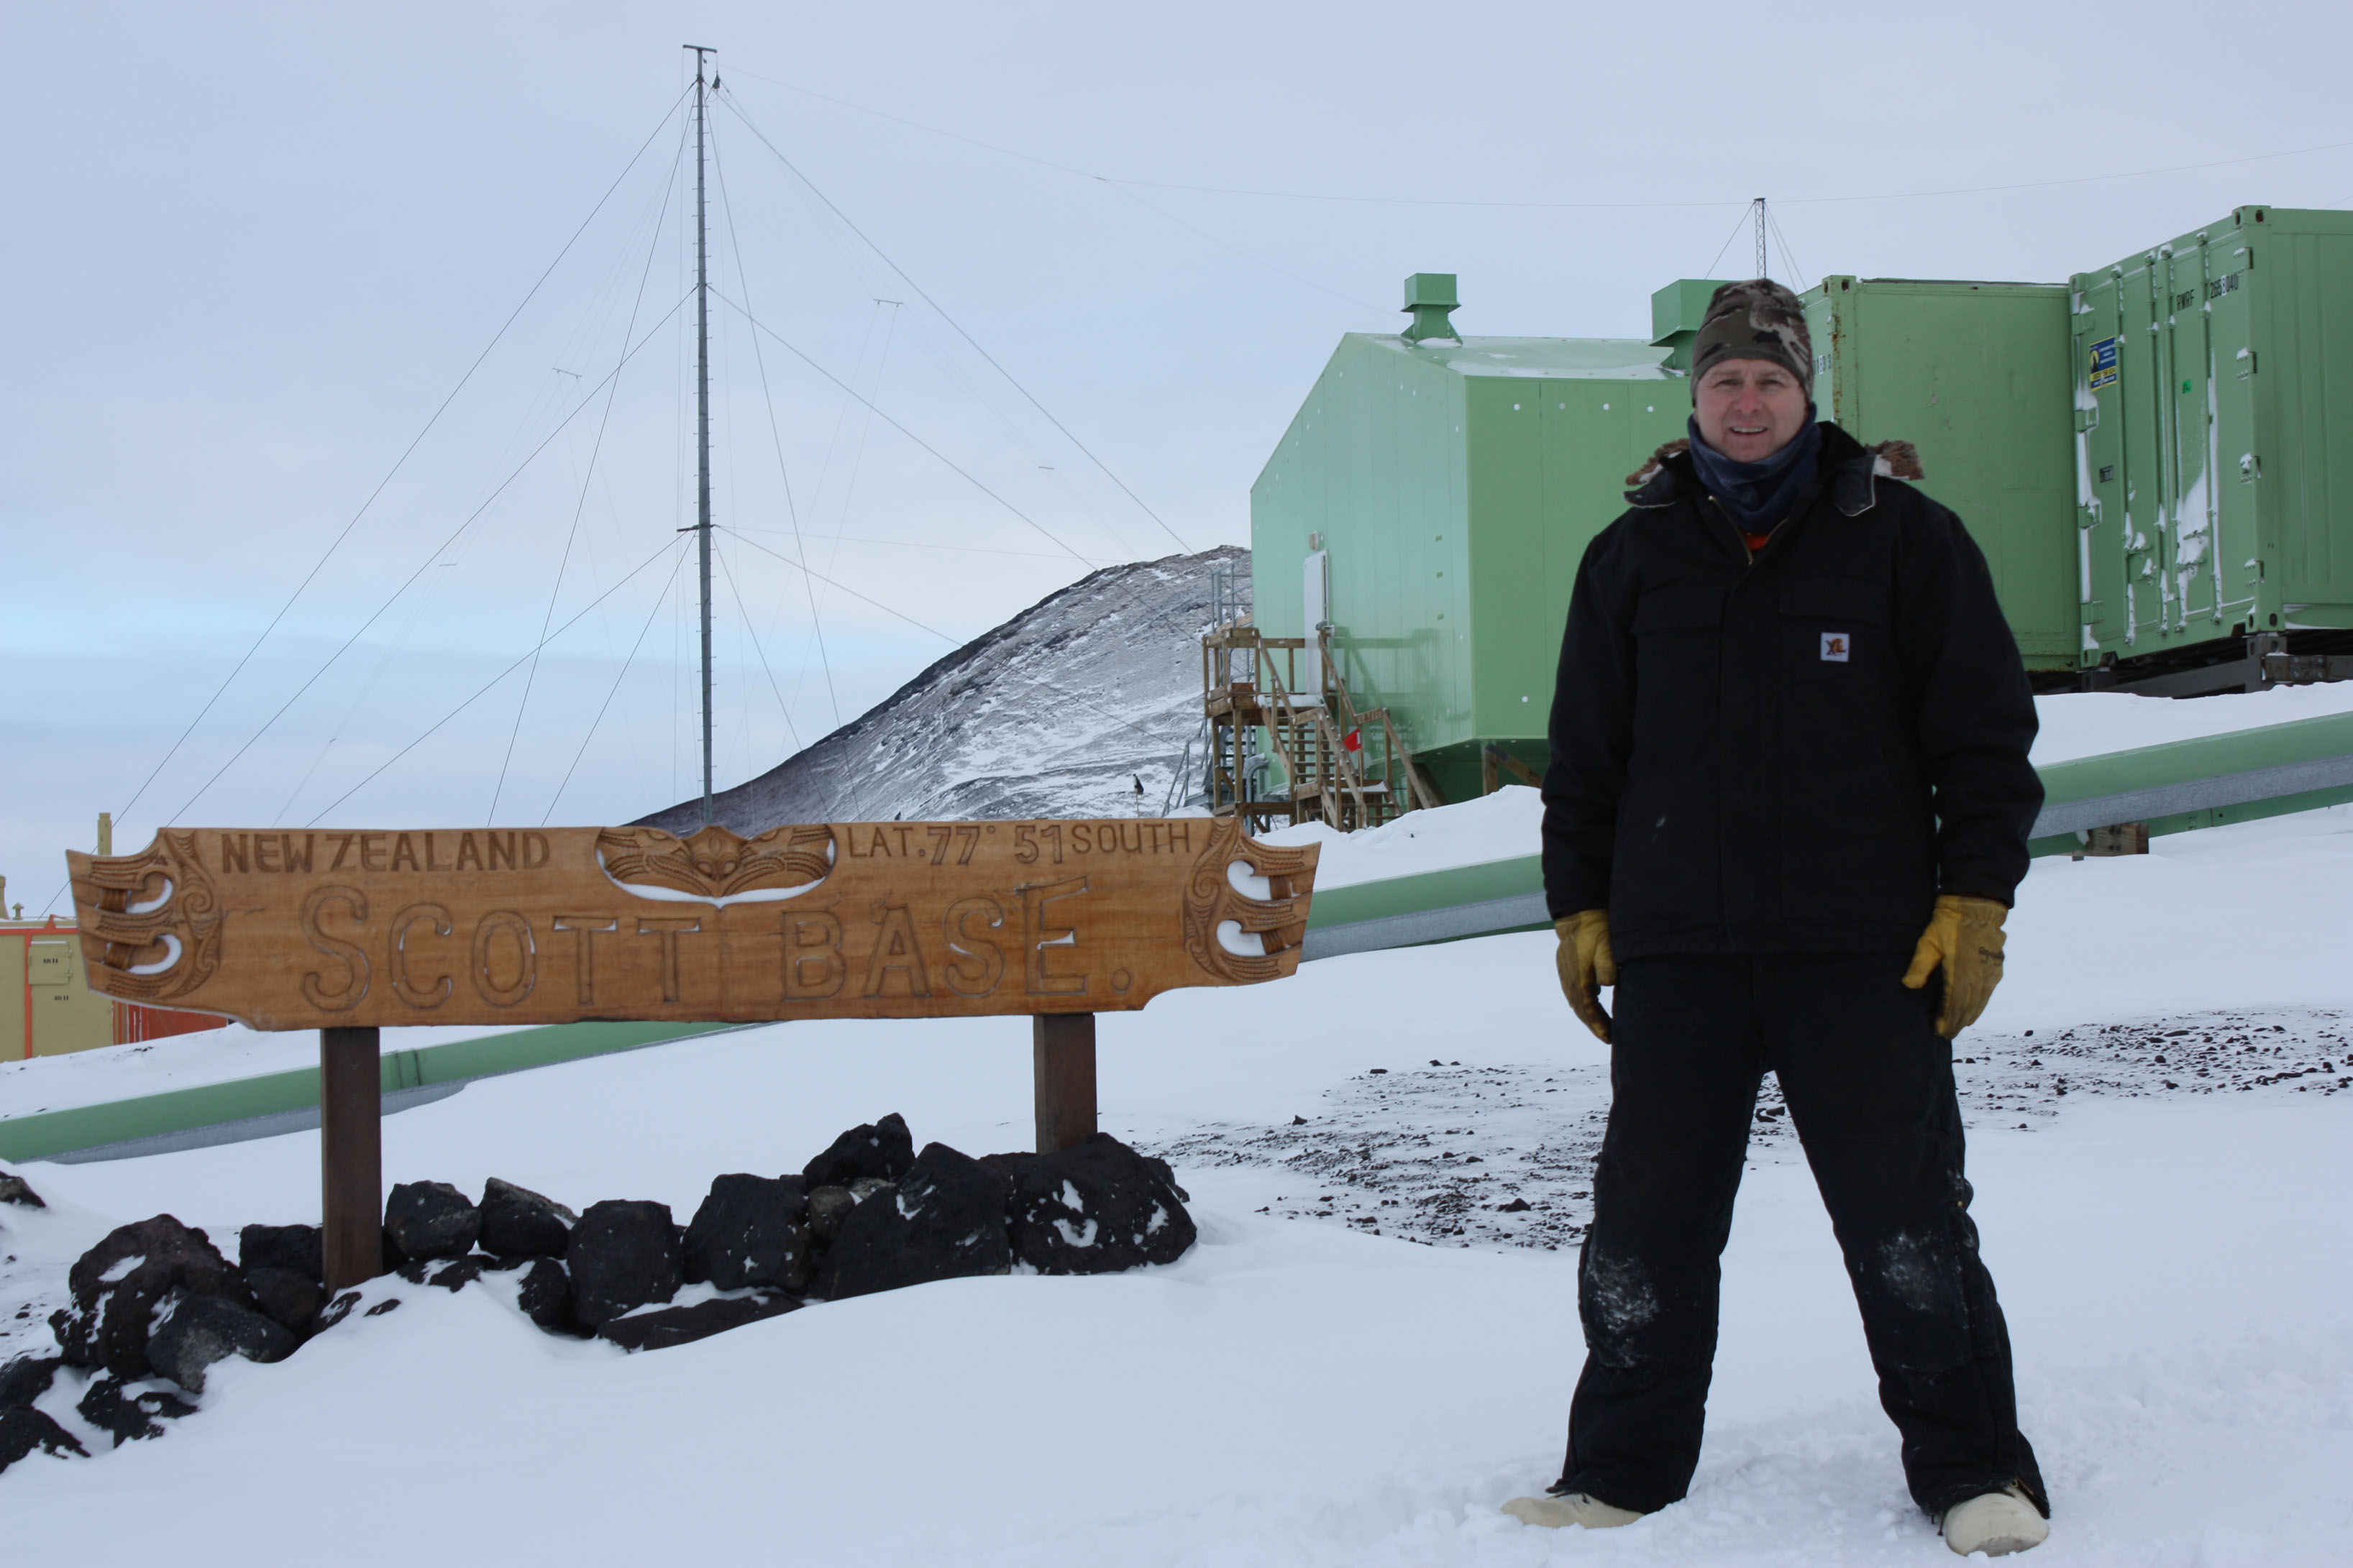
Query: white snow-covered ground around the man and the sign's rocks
pixel 1366 1353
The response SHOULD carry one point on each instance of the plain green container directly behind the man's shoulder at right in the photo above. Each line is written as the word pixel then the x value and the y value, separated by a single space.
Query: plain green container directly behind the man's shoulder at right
pixel 1975 375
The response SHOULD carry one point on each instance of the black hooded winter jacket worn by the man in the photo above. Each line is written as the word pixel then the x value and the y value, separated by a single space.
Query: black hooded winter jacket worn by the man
pixel 1794 749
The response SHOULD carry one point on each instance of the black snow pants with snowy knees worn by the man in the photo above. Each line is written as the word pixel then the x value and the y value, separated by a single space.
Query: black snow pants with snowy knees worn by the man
pixel 1869 1087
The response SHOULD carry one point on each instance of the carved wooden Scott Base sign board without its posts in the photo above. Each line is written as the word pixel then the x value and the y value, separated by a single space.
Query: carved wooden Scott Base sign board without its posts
pixel 829 920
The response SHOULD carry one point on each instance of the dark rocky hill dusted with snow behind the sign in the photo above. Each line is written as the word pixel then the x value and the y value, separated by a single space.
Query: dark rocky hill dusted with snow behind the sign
pixel 1060 711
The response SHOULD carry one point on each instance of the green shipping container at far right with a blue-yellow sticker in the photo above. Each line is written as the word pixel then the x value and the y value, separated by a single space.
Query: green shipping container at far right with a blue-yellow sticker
pixel 2215 438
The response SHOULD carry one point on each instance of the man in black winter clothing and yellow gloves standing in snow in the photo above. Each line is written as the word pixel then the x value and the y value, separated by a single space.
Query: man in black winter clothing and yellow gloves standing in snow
pixel 1785 819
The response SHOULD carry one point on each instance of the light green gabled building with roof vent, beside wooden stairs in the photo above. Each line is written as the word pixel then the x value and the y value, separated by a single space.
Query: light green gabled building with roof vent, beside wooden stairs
pixel 1437 497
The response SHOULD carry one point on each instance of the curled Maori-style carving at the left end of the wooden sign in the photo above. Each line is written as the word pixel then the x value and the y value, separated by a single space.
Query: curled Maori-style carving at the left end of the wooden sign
pixel 152 920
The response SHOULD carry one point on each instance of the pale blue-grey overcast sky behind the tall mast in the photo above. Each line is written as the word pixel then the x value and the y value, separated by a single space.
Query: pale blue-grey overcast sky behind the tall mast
pixel 251 253
